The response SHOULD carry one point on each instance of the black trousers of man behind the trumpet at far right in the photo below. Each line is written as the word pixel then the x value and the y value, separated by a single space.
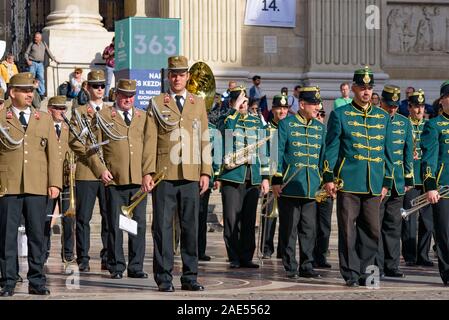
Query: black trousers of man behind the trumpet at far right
pixel 411 251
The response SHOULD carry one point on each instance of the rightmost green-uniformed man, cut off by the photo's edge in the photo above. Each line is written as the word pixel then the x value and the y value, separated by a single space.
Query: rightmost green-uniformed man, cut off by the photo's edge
pixel 435 148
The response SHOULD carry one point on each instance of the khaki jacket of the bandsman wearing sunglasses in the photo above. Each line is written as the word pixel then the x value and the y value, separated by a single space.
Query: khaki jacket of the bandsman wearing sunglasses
pixel 83 172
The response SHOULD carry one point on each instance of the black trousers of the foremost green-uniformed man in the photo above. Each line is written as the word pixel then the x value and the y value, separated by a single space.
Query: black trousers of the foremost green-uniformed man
pixel 358 233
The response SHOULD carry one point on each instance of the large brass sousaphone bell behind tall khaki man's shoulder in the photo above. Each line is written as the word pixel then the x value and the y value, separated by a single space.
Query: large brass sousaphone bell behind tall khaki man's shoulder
pixel 202 83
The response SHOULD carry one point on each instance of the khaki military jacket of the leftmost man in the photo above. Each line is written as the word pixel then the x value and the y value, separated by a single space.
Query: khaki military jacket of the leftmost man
pixel 34 166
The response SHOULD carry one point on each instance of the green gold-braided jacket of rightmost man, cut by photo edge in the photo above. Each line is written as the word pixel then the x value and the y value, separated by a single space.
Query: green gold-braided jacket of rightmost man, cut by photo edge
pixel 435 148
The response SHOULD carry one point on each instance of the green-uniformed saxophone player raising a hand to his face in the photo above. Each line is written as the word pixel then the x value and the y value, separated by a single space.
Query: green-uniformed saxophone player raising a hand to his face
pixel 240 186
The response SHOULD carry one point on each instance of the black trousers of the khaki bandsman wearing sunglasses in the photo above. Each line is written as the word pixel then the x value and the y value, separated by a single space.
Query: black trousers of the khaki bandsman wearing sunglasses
pixel 86 194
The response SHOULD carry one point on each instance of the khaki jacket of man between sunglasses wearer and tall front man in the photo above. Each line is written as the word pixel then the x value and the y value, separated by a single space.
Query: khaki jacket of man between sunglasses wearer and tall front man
pixel 123 158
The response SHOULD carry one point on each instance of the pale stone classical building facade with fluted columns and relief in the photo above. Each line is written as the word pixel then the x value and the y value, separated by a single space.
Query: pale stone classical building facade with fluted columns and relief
pixel 405 42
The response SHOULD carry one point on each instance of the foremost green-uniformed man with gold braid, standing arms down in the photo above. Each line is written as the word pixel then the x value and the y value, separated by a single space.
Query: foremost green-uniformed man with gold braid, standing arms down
pixel 358 151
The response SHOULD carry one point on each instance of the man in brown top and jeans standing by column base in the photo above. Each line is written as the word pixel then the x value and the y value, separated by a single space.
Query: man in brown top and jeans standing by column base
pixel 35 57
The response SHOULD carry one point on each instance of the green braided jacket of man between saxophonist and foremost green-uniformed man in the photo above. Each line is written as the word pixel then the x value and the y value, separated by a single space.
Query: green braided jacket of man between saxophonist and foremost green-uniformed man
pixel 300 147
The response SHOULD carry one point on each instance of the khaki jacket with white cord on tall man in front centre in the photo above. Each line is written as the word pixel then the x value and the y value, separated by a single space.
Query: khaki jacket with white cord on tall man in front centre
pixel 177 141
